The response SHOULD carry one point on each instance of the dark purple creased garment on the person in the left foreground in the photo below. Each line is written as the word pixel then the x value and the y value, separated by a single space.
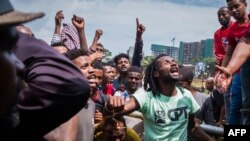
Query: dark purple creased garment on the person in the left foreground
pixel 49 76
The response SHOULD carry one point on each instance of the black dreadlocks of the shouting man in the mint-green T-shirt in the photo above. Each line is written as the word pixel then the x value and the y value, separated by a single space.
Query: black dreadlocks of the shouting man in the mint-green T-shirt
pixel 150 82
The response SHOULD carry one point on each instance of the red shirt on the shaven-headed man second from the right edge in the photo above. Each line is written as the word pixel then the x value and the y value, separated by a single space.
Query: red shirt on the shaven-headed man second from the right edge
pixel 221 42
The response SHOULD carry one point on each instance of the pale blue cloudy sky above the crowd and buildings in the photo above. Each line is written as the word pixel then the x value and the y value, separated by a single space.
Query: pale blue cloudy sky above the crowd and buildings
pixel 184 20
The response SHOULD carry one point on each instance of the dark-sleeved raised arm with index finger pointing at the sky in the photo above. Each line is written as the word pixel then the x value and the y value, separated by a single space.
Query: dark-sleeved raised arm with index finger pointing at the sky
pixel 137 56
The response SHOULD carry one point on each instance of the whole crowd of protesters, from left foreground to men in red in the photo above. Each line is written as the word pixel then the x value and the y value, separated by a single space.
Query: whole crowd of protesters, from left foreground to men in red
pixel 64 91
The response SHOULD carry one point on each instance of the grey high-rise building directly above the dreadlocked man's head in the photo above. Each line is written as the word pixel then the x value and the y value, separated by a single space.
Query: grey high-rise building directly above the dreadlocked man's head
pixel 161 49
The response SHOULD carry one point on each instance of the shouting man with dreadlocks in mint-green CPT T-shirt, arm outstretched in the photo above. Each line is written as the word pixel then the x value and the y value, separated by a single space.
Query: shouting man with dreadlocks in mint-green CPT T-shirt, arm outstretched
pixel 168 110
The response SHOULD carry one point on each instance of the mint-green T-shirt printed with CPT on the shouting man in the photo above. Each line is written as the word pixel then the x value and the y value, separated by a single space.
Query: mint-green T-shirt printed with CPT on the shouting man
pixel 166 118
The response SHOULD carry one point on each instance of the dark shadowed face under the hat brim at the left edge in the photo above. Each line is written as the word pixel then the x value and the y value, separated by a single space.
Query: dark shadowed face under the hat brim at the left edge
pixel 11 72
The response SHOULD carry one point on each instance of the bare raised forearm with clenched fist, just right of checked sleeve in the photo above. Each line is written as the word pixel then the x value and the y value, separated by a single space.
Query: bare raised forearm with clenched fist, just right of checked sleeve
pixel 79 23
